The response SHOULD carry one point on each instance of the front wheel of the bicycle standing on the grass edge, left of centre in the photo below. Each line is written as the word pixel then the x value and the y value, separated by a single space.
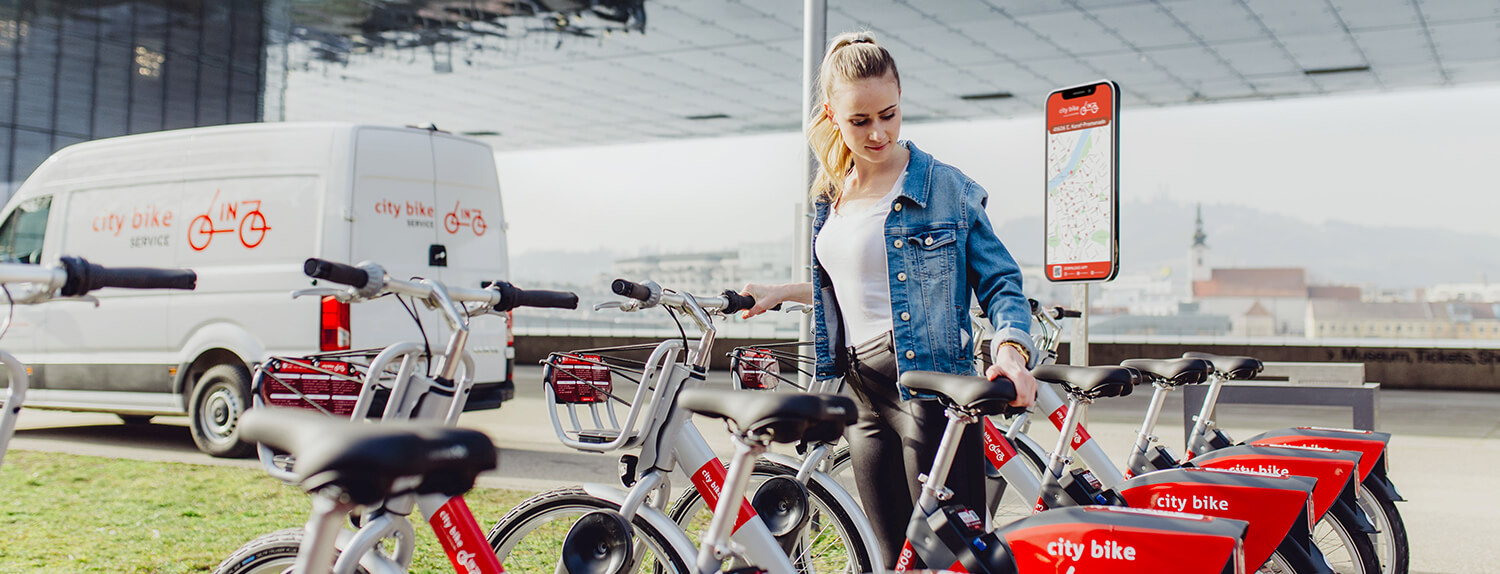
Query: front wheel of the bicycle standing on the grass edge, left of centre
pixel 530 537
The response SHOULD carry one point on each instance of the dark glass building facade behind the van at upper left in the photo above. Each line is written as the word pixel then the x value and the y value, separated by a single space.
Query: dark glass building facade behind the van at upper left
pixel 74 71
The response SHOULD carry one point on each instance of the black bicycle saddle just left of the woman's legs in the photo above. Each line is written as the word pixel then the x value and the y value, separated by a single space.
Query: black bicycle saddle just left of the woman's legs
pixel 782 417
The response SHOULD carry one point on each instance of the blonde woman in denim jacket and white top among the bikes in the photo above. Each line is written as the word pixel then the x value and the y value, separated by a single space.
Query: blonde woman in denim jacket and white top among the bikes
pixel 901 242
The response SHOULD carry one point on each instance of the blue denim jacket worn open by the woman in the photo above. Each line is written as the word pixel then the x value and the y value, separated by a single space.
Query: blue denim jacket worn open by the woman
pixel 940 250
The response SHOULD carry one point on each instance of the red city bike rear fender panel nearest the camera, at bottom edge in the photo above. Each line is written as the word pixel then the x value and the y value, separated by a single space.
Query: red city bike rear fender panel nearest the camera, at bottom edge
pixel 1087 540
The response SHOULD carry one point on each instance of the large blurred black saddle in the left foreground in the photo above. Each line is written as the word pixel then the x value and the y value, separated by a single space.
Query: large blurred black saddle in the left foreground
pixel 365 459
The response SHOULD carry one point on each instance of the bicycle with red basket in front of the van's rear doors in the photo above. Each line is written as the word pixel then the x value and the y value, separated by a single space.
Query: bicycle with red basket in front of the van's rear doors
pixel 437 396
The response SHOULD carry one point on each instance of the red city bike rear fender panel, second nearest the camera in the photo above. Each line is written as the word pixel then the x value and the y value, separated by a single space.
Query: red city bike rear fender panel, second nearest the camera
pixel 1270 504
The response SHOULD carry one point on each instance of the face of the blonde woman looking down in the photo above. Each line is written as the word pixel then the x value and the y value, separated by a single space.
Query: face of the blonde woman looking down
pixel 869 116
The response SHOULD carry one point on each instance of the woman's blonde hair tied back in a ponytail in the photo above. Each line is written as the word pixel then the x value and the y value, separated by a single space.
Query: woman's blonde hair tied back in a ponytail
pixel 851 56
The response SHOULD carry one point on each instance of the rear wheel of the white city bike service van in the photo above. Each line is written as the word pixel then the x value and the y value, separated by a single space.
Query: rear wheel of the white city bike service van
pixel 214 413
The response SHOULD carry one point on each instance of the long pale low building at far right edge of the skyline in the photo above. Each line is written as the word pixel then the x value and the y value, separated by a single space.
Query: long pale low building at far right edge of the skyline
pixel 1456 320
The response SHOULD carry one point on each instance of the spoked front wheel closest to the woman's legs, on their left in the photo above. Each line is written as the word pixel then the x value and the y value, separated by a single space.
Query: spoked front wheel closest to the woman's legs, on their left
pixel 830 543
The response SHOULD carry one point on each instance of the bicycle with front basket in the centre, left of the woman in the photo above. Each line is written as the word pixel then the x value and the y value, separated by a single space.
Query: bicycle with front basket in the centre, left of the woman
pixel 661 437
